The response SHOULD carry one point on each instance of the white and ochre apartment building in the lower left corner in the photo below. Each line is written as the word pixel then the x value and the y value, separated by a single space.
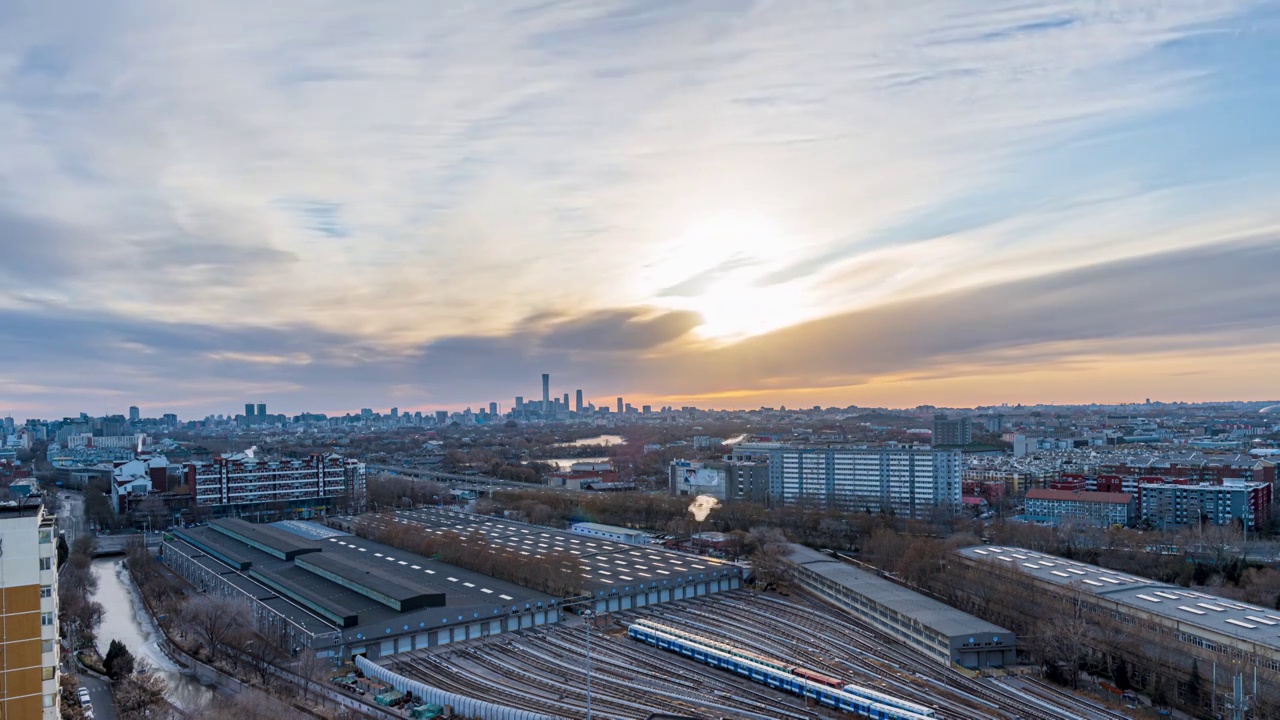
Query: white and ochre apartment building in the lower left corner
pixel 29 612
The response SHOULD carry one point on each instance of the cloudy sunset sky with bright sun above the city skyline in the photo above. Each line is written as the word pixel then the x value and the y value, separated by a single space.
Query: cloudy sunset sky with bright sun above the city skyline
pixel 330 206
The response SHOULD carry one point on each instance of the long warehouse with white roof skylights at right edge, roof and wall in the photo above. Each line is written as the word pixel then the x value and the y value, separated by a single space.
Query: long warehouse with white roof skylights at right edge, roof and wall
pixel 1191 625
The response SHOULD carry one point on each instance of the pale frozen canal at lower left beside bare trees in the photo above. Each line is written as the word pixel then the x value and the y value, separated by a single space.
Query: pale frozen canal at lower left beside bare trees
pixel 125 619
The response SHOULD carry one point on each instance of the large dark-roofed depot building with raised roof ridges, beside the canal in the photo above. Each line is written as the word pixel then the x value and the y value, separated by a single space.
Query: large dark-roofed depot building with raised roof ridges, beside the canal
pixel 308 586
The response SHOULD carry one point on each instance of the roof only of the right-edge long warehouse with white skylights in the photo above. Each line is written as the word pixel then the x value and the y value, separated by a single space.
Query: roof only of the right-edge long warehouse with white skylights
pixel 1244 621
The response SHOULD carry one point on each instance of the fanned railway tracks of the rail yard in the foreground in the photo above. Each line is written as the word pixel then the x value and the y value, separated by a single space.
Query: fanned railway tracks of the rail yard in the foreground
pixel 543 669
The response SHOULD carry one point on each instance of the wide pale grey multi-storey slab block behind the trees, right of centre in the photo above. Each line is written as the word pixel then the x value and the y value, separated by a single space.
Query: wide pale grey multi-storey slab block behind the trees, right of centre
pixel 909 481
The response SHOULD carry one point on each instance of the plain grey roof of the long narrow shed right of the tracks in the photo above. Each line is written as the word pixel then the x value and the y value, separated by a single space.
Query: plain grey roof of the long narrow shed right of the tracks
pixel 930 613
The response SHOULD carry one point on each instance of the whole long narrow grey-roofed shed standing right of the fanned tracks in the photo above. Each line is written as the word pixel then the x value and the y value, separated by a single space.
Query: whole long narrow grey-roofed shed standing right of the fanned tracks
pixel 927 626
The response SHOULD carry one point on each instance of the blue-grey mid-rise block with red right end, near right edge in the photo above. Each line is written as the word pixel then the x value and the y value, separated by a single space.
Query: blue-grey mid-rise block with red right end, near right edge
pixel 1236 500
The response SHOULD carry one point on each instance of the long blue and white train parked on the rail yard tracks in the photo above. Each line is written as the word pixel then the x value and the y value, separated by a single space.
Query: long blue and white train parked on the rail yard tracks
pixel 780 680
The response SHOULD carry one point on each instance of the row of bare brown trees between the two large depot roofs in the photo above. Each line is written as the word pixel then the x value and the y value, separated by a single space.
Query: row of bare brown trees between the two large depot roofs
pixel 555 573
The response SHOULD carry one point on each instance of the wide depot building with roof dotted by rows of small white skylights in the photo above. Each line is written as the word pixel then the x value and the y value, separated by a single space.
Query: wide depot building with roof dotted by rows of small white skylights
pixel 619 576
